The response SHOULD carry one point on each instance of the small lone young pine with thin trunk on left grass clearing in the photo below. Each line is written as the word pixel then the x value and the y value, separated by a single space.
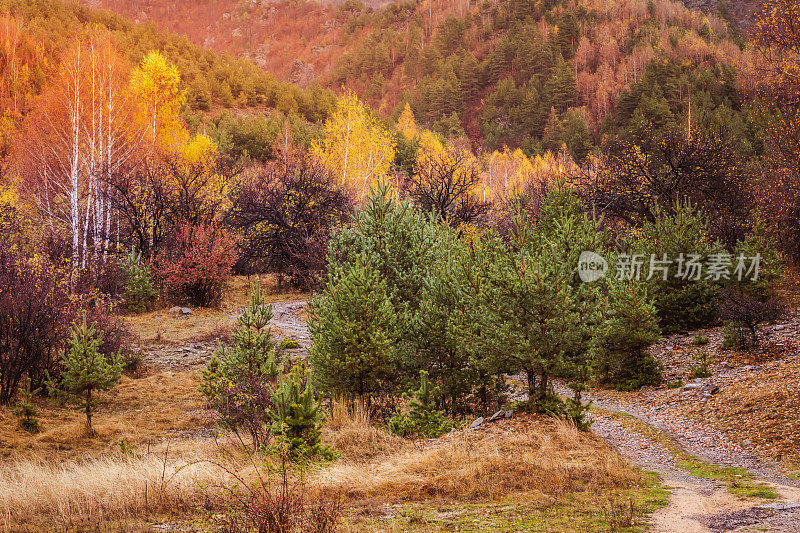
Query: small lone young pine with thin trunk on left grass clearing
pixel 88 370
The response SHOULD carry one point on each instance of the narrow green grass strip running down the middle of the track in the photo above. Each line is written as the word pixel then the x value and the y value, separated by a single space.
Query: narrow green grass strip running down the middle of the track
pixel 739 480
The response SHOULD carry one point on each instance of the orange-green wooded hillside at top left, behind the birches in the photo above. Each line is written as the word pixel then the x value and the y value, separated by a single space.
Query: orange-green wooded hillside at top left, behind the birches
pixel 37 35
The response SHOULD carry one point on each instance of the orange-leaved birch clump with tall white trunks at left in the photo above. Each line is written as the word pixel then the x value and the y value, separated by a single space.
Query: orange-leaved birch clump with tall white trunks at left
pixel 82 132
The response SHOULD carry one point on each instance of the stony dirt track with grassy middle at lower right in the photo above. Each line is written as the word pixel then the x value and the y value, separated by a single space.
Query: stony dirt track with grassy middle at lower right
pixel 665 444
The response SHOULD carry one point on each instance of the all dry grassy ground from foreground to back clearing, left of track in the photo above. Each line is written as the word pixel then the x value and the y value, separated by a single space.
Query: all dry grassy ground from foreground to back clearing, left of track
pixel 524 474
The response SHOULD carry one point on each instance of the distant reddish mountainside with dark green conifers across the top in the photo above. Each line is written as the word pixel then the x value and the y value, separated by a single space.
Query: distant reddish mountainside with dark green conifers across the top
pixel 493 71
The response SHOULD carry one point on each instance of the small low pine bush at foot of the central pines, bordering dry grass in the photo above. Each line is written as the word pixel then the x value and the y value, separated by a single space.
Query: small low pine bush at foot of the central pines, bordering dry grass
pixel 422 421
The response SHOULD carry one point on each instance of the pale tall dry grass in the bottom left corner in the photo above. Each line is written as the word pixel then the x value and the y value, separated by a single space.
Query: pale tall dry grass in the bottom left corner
pixel 35 493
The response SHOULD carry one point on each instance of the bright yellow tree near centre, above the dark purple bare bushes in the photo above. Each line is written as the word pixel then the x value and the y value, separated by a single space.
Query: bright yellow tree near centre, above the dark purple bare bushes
pixel 356 146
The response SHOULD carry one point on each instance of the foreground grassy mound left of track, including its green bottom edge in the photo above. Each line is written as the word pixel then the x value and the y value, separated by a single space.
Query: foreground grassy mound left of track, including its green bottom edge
pixel 526 474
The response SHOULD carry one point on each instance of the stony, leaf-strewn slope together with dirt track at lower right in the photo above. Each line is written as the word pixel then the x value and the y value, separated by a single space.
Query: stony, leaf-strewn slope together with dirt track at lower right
pixel 743 413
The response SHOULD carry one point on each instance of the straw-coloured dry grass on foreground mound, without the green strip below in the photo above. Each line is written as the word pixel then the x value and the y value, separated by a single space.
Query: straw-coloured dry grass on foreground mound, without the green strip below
pixel 527 455
